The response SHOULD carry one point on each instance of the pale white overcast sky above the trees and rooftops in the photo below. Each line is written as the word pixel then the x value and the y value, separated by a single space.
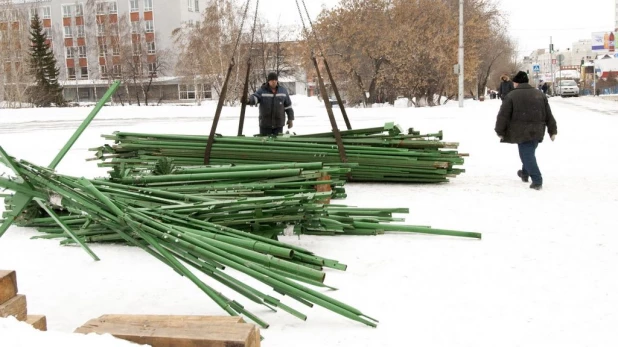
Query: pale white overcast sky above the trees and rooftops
pixel 531 22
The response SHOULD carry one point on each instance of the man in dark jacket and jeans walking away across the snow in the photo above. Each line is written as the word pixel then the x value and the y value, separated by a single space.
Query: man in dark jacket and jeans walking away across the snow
pixel 522 119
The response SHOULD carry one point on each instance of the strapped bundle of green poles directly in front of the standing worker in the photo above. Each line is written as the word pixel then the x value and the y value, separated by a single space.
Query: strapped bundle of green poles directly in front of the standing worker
pixel 380 154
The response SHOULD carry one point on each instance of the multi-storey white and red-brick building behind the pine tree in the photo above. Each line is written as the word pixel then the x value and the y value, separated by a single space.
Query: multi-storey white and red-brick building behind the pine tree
pixel 96 41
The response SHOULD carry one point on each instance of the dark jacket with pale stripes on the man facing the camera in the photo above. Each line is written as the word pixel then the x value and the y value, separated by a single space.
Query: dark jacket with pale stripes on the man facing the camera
pixel 273 107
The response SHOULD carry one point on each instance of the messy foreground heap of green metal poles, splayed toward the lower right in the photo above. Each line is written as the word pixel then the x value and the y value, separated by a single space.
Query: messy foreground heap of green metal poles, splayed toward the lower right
pixel 206 233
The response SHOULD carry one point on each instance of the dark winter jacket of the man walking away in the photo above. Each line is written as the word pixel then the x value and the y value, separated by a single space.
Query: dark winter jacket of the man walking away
pixel 524 114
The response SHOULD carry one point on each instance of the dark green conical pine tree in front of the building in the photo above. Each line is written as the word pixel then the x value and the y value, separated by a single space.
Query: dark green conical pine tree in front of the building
pixel 43 67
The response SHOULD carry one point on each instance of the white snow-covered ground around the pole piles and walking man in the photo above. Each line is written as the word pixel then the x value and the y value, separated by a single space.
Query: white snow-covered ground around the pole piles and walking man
pixel 543 275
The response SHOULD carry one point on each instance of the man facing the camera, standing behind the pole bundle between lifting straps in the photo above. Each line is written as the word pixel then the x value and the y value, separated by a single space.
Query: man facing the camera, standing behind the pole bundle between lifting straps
pixel 275 104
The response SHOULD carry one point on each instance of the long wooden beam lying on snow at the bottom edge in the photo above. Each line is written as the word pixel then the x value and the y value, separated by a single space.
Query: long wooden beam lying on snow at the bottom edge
pixel 176 331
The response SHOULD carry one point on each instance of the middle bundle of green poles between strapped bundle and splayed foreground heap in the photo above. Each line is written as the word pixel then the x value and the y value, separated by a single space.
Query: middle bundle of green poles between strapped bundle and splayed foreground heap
pixel 226 181
